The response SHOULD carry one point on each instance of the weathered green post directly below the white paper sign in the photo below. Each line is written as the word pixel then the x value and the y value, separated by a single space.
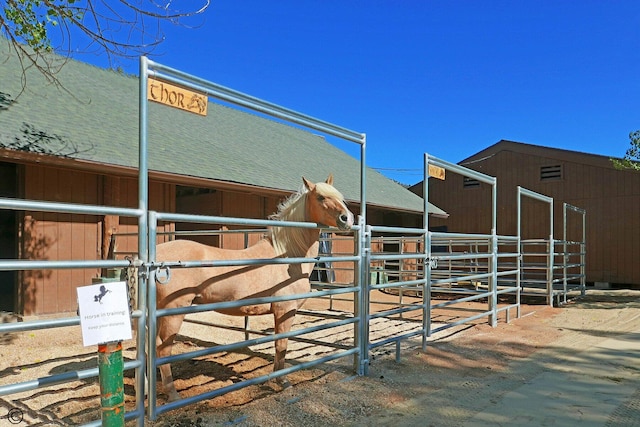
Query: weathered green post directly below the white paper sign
pixel 110 370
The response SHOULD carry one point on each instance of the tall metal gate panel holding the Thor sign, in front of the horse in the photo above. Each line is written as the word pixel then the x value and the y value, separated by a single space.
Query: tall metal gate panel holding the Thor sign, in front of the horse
pixel 353 348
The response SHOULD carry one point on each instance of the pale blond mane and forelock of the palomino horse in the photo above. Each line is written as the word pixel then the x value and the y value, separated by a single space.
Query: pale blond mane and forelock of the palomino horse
pixel 294 241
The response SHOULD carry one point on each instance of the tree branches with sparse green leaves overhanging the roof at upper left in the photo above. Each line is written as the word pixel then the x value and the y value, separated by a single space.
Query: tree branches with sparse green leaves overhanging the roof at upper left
pixel 115 28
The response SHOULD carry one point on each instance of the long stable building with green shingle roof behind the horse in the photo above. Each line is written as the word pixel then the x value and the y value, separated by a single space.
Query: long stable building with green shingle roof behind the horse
pixel 78 143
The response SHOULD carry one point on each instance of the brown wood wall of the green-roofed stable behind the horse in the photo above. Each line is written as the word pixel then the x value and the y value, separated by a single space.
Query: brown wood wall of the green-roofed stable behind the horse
pixel 50 236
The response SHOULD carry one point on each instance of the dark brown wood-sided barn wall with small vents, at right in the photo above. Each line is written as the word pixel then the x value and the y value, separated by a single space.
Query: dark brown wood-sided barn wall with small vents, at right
pixel 610 197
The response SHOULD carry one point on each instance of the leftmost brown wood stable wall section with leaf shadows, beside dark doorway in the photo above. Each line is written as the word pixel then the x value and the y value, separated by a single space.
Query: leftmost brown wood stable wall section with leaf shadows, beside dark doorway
pixel 50 236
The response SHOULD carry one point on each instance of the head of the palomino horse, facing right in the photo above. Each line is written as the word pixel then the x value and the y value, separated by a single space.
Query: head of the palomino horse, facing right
pixel 325 205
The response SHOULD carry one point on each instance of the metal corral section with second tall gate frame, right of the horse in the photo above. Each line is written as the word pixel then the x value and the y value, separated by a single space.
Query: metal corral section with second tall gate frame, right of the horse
pixel 462 267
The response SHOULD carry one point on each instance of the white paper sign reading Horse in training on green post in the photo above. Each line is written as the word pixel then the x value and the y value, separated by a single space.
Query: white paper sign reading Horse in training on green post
pixel 104 313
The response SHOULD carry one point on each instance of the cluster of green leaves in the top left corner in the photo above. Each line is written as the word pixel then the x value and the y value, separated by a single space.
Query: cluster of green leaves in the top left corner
pixel 29 21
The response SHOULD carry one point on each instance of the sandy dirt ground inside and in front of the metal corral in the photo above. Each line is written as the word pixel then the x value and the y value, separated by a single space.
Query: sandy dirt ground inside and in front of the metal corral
pixel 464 371
